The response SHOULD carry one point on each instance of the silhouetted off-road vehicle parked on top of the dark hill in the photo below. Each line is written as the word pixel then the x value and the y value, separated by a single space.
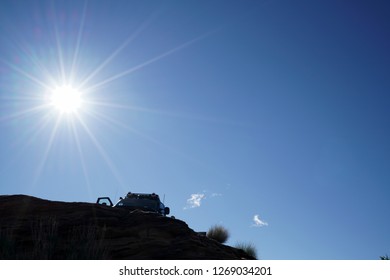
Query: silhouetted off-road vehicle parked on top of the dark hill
pixel 142 201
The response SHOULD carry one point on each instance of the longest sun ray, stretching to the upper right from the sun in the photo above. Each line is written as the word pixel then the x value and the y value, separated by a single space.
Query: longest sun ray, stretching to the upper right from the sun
pixel 150 61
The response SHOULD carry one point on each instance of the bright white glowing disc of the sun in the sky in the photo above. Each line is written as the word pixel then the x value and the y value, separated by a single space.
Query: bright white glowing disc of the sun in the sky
pixel 66 99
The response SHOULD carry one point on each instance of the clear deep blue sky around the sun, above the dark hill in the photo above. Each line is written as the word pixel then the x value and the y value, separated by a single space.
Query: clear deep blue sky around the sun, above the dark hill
pixel 270 118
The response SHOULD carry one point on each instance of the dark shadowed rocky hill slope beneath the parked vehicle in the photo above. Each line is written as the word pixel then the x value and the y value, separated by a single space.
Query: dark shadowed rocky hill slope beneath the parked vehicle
pixel 33 228
